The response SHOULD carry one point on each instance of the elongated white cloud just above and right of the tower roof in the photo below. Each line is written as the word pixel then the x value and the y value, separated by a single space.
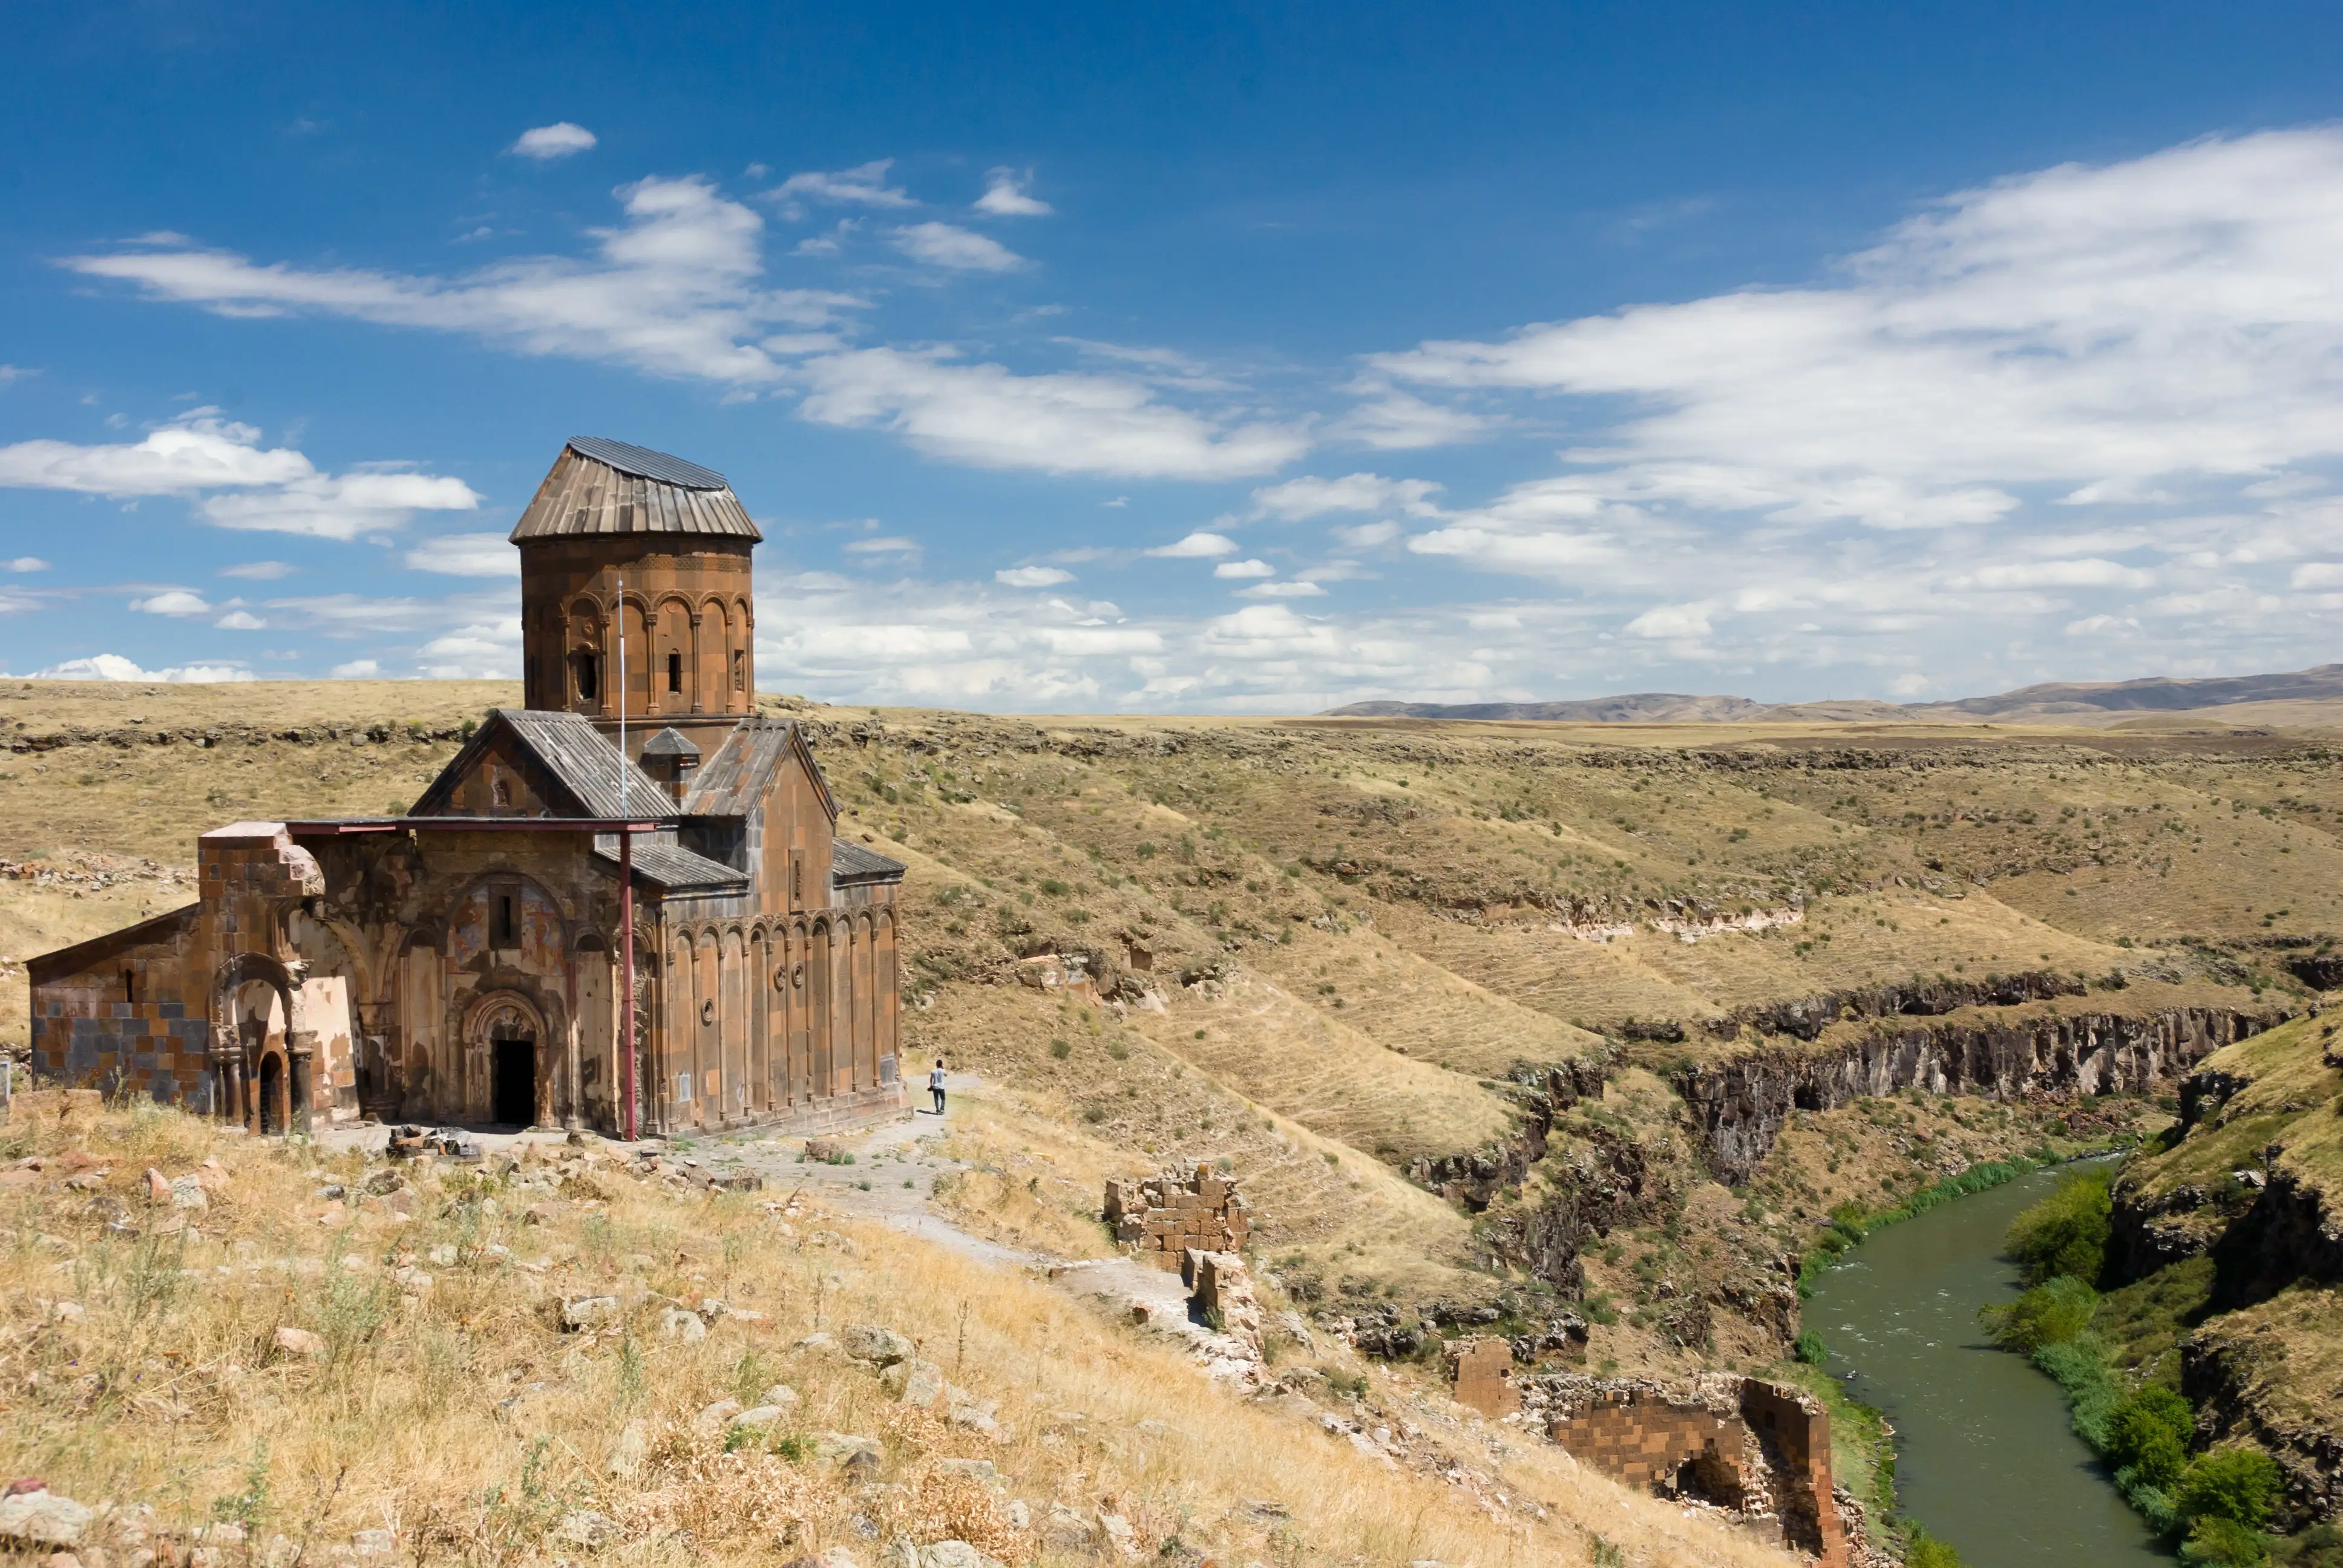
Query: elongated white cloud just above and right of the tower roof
pixel 1053 423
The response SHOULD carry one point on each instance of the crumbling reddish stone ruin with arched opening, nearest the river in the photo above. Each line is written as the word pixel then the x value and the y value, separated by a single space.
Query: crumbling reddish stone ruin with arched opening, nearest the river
pixel 1737 1443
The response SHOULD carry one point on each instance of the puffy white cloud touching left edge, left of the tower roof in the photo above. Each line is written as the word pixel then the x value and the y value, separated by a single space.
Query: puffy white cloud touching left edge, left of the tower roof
pixel 235 482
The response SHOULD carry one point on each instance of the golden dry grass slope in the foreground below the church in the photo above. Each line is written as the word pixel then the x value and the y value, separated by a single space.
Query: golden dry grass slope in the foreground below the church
pixel 463 1419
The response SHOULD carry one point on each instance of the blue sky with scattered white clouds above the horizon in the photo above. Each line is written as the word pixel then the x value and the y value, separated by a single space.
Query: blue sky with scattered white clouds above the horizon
pixel 1093 360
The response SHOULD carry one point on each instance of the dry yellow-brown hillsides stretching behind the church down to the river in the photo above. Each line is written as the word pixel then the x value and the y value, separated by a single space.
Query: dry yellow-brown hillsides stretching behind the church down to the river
pixel 1505 1025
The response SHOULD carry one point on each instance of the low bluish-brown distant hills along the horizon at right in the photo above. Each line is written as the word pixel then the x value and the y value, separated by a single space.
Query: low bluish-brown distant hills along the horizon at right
pixel 2044 702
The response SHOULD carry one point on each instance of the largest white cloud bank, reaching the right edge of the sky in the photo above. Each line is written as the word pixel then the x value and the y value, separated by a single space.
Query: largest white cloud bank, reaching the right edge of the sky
pixel 2079 327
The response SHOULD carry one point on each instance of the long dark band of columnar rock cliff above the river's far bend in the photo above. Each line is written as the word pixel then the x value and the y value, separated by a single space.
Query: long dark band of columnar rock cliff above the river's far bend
pixel 1742 1105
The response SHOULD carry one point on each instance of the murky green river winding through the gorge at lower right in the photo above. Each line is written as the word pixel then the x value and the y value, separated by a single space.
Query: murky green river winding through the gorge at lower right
pixel 1983 1450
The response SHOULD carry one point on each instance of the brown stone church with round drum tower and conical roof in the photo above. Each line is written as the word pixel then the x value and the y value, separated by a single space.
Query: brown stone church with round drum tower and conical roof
pixel 463 962
